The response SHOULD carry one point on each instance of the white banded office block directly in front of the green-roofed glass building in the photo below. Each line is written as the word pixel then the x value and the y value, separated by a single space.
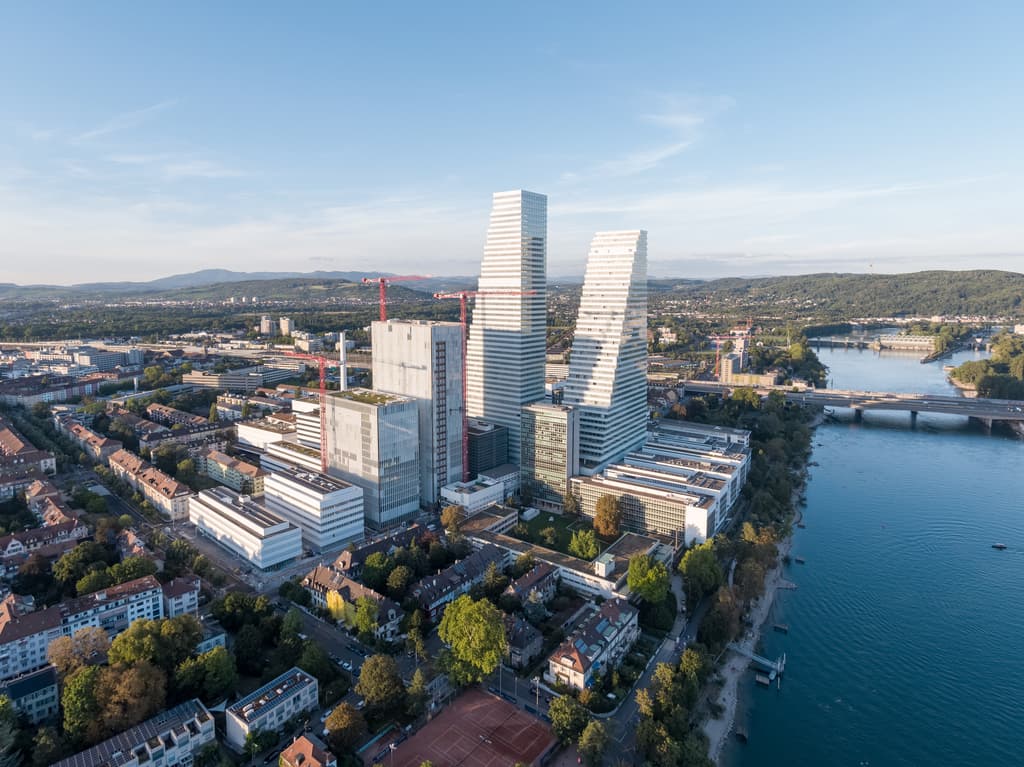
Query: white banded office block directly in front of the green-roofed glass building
pixel 329 512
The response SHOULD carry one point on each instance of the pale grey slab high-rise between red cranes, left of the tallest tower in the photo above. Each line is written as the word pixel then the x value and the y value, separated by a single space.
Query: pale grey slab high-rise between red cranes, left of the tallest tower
pixel 423 361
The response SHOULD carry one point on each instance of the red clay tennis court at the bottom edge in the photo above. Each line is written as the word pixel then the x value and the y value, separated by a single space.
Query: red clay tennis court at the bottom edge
pixel 477 731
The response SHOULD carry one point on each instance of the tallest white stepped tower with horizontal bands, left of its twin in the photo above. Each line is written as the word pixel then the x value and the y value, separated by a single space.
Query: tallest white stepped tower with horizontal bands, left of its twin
pixel 505 352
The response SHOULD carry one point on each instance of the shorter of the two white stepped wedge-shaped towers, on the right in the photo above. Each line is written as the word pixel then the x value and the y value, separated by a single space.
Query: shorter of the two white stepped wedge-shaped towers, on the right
pixel 608 380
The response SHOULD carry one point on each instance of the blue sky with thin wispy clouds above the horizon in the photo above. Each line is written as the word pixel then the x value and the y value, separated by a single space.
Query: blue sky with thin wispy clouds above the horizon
pixel 749 139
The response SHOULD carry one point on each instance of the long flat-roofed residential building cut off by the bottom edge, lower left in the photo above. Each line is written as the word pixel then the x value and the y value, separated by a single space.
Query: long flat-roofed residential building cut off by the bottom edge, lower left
pixel 172 738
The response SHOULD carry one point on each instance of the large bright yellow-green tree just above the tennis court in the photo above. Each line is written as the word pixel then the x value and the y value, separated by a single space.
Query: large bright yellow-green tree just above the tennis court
pixel 476 632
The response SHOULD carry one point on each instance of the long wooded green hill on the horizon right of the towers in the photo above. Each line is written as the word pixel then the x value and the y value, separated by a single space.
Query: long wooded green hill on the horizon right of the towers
pixel 845 296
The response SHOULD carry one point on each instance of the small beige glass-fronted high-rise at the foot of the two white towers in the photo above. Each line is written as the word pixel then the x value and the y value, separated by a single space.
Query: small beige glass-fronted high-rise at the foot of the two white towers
pixel 550 451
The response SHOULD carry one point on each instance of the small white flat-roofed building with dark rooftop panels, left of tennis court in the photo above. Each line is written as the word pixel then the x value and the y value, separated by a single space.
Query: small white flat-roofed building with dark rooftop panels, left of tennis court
pixel 271 707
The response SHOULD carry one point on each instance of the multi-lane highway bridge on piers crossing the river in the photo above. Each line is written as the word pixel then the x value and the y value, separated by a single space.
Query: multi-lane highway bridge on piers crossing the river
pixel 985 410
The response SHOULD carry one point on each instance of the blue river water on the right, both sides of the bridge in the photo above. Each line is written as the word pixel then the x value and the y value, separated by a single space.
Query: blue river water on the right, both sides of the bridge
pixel 907 633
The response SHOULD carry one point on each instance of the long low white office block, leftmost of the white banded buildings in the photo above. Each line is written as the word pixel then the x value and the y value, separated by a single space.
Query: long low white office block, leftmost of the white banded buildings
pixel 245 528
